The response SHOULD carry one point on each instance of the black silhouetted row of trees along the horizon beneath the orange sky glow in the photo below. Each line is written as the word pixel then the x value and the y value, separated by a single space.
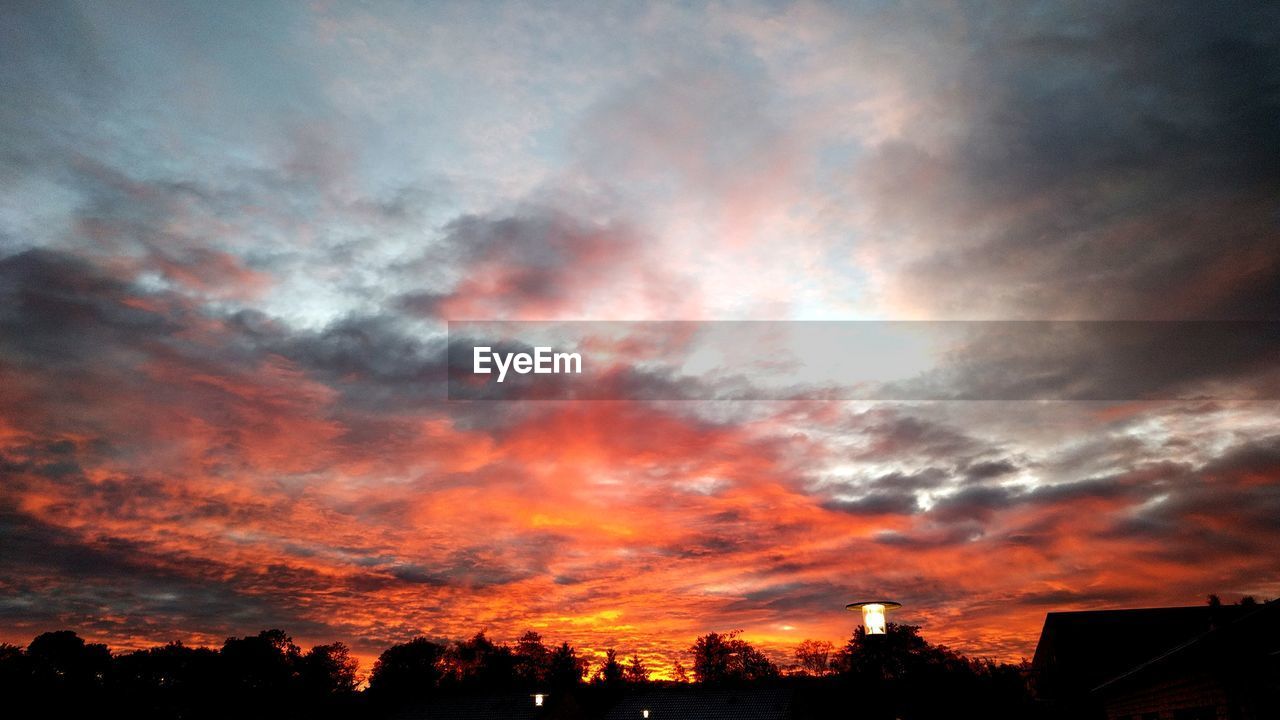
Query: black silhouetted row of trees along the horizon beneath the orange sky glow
pixel 269 675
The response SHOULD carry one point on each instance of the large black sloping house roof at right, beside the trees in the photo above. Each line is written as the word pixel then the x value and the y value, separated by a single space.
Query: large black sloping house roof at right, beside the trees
pixel 1080 651
